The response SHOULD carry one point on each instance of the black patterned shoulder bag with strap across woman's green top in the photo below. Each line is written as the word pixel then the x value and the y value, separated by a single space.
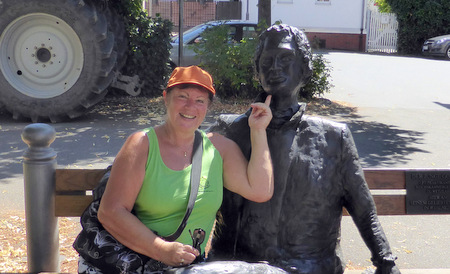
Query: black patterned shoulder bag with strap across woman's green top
pixel 100 249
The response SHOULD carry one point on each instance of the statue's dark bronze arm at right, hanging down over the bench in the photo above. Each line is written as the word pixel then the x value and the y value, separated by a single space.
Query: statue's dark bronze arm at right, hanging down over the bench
pixel 359 203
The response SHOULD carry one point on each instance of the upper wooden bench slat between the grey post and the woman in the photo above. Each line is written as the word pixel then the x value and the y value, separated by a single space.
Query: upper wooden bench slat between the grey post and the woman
pixel 77 179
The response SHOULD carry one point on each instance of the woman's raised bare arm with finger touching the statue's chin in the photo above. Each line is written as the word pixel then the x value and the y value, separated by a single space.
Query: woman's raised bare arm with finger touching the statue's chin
pixel 253 179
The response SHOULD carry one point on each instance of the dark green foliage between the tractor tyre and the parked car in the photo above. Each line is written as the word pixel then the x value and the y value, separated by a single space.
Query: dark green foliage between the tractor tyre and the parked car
pixel 148 45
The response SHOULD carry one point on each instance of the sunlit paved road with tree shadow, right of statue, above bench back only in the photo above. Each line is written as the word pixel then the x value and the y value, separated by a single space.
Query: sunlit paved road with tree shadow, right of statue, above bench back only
pixel 403 103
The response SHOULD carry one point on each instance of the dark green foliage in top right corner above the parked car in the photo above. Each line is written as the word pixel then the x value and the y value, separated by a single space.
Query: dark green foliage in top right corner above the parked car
pixel 419 20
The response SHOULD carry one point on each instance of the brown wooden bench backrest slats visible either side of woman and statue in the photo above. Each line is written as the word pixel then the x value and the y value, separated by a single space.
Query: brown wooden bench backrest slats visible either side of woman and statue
pixel 388 186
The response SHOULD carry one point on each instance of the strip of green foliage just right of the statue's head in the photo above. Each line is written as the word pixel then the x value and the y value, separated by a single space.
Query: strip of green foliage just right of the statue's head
pixel 320 82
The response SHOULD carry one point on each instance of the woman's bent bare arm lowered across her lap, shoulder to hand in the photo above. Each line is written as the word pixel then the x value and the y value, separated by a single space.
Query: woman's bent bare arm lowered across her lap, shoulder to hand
pixel 124 184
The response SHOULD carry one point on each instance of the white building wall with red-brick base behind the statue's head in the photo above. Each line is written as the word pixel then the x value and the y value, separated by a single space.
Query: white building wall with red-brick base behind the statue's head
pixel 337 24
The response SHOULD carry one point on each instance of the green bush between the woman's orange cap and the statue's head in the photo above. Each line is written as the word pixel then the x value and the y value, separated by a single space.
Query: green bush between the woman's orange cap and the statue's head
pixel 229 62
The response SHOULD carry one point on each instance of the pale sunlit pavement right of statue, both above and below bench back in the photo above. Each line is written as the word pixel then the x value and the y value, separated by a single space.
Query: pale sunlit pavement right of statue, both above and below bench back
pixel 402 120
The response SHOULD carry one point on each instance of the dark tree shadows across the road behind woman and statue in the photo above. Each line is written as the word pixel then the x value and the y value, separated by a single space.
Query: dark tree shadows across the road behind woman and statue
pixel 92 141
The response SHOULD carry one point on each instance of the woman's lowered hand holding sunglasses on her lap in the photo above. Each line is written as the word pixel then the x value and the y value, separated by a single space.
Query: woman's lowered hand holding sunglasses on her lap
pixel 177 254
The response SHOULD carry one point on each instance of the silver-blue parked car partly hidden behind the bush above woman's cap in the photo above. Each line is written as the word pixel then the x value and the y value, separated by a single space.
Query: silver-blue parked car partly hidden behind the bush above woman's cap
pixel 238 30
